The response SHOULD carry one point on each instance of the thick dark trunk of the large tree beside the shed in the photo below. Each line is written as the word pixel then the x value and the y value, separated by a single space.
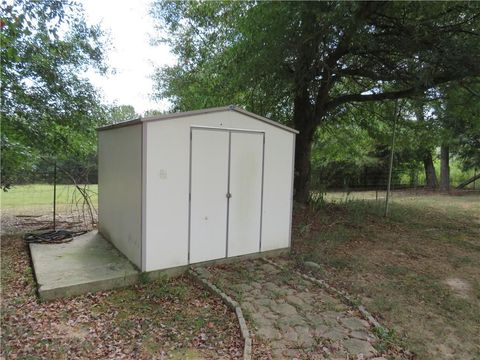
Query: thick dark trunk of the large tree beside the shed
pixel 305 124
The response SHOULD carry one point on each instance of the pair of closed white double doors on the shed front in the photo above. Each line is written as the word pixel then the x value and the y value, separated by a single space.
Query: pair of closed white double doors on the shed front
pixel 226 185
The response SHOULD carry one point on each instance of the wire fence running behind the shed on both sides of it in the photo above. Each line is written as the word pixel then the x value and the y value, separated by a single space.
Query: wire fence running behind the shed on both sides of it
pixel 51 198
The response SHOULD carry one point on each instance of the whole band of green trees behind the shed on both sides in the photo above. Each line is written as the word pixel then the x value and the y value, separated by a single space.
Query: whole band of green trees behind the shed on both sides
pixel 332 70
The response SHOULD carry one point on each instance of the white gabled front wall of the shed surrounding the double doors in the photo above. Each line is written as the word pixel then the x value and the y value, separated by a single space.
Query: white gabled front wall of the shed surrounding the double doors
pixel 167 185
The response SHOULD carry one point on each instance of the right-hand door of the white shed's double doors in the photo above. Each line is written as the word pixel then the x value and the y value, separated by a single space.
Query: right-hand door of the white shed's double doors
pixel 244 219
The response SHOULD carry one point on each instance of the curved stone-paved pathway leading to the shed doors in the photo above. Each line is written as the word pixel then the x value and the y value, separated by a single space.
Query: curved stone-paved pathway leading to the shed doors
pixel 299 319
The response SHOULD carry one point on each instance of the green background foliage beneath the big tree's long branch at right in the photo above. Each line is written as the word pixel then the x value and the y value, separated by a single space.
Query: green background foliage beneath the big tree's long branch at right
pixel 356 146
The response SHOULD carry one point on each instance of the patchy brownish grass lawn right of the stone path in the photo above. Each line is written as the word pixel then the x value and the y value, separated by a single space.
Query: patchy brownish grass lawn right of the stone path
pixel 418 271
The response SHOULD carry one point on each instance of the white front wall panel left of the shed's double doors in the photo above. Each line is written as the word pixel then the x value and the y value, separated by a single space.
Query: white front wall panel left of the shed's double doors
pixel 166 203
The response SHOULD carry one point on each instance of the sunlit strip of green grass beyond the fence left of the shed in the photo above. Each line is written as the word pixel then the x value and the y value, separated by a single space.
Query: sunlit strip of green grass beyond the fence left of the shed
pixel 42 195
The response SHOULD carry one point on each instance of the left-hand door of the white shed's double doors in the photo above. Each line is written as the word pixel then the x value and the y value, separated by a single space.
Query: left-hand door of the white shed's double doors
pixel 209 186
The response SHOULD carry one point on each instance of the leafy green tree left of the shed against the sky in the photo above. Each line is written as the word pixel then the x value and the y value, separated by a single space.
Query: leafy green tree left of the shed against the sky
pixel 48 108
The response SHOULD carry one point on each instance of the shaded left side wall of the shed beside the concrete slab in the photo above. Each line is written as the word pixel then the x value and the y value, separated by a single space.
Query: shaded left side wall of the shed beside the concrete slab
pixel 120 189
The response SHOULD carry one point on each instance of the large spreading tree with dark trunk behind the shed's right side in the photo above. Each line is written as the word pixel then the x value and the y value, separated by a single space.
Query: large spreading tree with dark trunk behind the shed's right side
pixel 304 61
